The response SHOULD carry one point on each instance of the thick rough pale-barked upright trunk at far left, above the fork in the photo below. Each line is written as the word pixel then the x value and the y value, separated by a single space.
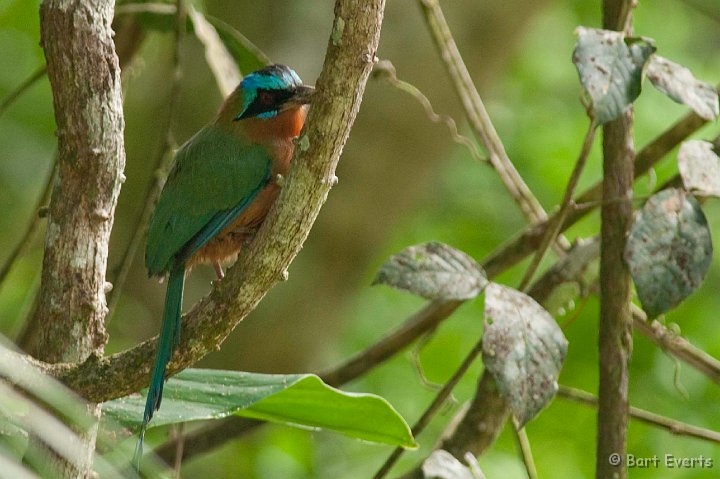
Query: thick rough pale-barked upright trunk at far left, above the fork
pixel 85 77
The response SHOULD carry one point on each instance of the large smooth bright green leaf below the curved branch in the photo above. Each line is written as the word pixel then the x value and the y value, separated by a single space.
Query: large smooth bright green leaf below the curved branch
pixel 296 399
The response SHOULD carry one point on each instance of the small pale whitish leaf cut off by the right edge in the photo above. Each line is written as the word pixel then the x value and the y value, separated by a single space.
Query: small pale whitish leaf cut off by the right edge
pixel 699 167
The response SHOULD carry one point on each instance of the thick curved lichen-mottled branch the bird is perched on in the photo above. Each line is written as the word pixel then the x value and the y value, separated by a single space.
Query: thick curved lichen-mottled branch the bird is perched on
pixel 349 60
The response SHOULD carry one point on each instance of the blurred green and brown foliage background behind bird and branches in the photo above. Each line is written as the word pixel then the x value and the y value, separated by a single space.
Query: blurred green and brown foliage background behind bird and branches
pixel 402 182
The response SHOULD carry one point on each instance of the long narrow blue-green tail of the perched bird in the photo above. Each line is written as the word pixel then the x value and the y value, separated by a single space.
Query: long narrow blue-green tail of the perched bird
pixel 169 340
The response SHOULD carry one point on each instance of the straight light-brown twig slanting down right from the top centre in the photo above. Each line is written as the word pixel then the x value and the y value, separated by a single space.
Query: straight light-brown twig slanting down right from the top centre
pixel 478 116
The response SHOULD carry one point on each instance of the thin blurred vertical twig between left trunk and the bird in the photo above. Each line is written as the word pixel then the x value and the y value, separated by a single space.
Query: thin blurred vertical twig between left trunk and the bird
pixel 161 164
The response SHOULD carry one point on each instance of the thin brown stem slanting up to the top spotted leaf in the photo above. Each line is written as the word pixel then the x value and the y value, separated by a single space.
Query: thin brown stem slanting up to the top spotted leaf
pixel 558 219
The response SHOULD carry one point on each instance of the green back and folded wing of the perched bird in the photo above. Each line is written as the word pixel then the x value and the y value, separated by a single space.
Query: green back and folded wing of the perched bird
pixel 215 176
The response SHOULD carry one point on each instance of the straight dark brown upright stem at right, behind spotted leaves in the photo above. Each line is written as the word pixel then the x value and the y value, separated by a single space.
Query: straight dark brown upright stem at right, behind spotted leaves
pixel 615 328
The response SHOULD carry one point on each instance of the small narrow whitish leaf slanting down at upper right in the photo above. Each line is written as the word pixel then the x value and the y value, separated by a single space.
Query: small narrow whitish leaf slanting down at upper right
pixel 678 83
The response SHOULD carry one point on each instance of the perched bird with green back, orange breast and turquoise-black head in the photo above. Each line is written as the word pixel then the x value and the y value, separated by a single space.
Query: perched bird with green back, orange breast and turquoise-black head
pixel 217 194
